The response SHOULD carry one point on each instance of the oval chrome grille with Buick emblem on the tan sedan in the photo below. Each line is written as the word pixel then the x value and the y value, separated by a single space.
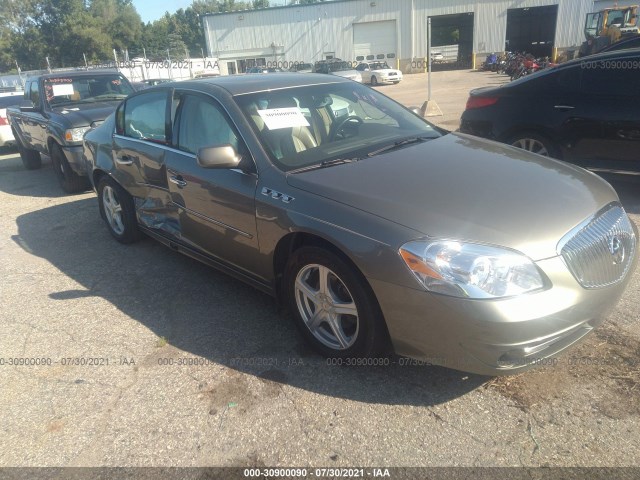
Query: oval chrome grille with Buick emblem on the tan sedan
pixel 601 252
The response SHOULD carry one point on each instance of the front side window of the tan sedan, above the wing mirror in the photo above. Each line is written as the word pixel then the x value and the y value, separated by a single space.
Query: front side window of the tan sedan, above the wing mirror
pixel 202 123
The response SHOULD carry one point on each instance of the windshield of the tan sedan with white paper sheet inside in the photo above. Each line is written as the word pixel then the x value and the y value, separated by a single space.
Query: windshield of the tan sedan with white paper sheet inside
pixel 305 126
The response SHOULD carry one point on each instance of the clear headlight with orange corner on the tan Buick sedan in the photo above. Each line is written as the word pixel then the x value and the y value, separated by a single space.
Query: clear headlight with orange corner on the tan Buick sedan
pixel 470 270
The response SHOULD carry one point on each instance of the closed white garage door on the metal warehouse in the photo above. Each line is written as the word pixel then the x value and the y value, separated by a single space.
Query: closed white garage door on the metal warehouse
pixel 374 40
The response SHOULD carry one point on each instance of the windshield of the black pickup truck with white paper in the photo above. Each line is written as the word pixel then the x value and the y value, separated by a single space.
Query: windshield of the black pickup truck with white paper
pixel 65 91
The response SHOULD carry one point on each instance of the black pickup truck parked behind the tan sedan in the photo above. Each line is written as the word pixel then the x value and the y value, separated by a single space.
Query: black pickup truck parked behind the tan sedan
pixel 64 106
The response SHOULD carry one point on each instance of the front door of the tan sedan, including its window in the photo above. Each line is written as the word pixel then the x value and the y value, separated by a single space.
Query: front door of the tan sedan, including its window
pixel 216 206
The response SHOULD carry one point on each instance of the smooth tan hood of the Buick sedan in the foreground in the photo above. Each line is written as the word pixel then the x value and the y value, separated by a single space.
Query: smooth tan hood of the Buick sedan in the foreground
pixel 466 188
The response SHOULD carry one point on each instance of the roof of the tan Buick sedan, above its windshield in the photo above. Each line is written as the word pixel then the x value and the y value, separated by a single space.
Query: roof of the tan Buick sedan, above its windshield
pixel 244 84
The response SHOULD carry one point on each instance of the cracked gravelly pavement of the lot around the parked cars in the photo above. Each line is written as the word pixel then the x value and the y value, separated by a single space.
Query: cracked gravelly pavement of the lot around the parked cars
pixel 157 360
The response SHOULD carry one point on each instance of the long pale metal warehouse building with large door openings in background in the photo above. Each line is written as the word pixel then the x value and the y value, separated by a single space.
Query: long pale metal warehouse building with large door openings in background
pixel 395 30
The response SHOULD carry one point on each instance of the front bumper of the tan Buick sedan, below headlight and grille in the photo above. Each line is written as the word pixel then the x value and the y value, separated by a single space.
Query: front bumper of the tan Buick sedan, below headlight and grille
pixel 495 337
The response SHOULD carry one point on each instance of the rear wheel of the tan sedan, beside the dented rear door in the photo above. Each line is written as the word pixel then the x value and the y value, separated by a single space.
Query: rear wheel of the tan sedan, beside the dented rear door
pixel 118 211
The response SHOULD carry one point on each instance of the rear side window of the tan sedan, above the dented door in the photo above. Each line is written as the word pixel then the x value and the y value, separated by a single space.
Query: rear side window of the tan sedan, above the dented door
pixel 145 117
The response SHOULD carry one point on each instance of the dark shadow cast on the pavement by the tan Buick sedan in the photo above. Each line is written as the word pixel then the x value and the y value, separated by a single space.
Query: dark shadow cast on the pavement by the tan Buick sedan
pixel 206 313
